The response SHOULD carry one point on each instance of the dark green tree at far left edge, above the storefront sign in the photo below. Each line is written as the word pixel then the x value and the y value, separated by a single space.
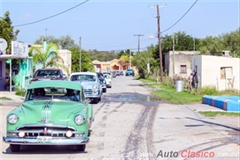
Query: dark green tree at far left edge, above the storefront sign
pixel 7 31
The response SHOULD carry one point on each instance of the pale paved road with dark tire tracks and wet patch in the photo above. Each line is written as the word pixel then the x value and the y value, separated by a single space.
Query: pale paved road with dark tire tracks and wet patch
pixel 131 124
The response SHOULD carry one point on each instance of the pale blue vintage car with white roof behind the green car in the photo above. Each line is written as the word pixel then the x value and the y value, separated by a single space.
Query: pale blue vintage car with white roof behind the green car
pixel 90 83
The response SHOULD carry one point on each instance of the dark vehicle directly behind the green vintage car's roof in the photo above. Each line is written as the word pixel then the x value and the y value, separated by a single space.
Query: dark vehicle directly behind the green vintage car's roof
pixel 48 74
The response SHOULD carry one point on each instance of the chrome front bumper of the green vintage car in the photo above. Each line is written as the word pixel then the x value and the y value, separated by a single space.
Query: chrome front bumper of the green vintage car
pixel 53 141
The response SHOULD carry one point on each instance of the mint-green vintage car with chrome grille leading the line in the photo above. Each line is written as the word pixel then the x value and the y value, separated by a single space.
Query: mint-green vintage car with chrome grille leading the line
pixel 54 112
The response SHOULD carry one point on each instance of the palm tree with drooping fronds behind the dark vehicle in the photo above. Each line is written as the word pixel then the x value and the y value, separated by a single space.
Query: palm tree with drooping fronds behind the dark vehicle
pixel 49 58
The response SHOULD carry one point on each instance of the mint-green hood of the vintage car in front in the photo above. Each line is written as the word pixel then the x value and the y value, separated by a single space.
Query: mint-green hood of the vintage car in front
pixel 57 112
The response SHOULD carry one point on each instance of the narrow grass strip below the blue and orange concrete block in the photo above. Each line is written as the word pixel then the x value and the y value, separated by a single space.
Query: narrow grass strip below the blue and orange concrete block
pixel 214 114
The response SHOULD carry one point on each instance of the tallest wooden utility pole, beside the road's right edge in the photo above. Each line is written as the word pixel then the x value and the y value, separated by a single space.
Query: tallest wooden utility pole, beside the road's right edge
pixel 159 44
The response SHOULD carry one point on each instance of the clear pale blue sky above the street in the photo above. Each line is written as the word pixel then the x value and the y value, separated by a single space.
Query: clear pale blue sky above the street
pixel 114 25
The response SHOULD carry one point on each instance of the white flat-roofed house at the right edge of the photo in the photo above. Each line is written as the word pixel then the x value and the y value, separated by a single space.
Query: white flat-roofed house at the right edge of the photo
pixel 219 71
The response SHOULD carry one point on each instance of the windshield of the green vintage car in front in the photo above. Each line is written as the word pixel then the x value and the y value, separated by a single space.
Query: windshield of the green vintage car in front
pixel 50 93
